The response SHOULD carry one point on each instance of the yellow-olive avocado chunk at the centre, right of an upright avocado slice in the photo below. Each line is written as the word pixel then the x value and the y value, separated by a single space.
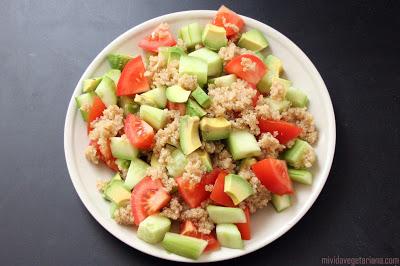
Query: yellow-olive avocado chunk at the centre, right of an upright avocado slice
pixel 215 128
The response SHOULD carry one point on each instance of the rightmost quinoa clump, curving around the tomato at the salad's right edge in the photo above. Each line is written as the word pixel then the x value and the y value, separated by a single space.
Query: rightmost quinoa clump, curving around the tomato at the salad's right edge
pixel 304 120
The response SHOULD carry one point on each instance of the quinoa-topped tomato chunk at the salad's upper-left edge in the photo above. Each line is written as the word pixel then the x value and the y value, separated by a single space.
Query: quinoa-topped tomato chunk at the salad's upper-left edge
pixel 160 37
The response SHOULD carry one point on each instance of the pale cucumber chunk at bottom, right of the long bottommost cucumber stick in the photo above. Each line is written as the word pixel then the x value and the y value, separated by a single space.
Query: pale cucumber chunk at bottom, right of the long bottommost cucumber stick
pixel 228 235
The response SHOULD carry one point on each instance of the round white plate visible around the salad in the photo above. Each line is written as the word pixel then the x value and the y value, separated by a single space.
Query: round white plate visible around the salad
pixel 266 224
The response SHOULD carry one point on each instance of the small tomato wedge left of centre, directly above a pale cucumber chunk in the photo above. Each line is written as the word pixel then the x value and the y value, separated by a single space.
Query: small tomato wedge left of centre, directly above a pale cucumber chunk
pixel 139 133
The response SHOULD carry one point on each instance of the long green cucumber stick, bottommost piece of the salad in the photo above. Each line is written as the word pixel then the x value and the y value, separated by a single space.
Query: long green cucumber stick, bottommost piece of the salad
pixel 186 246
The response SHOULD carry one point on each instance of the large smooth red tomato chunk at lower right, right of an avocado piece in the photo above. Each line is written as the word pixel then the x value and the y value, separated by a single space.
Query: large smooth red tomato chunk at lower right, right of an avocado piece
pixel 273 174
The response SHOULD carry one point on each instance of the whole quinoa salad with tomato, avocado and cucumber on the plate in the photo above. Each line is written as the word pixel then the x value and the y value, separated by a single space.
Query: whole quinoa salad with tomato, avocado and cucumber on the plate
pixel 202 131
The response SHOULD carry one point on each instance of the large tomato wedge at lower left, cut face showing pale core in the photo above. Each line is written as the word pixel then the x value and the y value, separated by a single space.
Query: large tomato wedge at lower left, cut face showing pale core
pixel 148 197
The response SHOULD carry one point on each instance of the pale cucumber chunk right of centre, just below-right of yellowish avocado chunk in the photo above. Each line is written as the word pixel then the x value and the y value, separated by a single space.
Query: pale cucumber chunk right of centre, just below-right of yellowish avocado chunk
pixel 242 144
